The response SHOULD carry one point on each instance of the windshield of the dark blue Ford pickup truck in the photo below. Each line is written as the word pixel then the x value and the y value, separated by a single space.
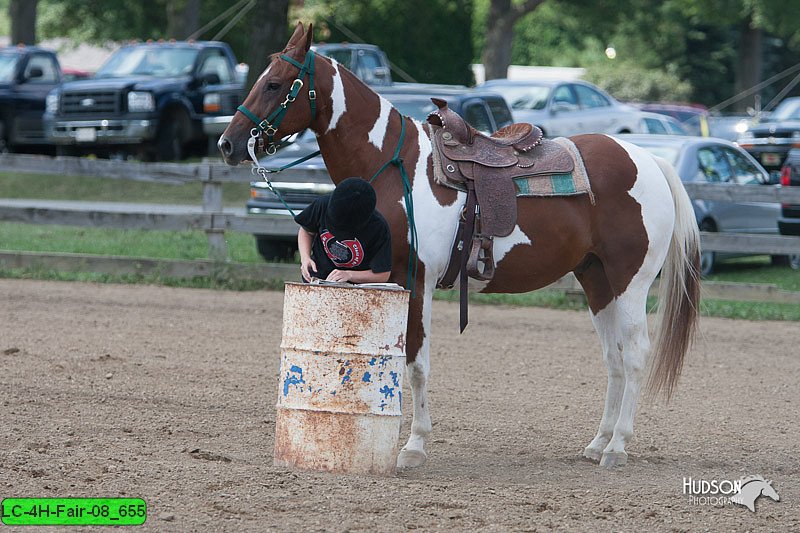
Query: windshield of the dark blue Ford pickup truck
pixel 149 61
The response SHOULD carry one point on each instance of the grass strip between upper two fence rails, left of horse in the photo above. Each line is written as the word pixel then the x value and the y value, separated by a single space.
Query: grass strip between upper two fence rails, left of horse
pixel 94 189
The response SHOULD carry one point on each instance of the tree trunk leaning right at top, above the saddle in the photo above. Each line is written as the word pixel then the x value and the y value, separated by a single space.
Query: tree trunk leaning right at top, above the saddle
pixel 503 15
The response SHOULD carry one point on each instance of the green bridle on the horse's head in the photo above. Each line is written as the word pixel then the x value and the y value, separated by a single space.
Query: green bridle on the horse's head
pixel 269 126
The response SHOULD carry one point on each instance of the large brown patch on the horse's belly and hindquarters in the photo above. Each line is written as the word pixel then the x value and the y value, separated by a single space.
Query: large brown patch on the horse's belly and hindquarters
pixel 604 244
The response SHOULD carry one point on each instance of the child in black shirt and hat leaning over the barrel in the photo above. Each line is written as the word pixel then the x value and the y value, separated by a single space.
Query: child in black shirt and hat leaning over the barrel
pixel 343 238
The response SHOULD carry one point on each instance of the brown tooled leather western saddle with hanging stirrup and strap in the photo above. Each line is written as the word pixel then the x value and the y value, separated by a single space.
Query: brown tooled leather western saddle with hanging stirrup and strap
pixel 485 167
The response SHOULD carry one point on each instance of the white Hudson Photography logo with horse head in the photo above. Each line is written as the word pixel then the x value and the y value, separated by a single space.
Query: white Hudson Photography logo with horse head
pixel 722 492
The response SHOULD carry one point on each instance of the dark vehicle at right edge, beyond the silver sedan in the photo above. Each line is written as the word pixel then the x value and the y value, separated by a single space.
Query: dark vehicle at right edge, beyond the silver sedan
pixel 771 140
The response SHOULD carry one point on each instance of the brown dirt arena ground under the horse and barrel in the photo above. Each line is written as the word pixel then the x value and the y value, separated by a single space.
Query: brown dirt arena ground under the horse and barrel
pixel 168 394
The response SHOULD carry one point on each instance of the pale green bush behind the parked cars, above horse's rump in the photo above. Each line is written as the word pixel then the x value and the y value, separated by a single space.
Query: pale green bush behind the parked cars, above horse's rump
pixel 631 82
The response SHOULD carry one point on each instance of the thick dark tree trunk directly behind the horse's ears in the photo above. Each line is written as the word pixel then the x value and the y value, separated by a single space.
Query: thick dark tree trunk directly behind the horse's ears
pixel 268 34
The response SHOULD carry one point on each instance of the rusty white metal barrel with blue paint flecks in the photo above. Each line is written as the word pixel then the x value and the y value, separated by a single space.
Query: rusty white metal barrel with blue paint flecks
pixel 341 378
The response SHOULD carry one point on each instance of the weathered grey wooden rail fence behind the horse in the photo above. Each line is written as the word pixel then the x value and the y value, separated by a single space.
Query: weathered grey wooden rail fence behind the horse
pixel 211 217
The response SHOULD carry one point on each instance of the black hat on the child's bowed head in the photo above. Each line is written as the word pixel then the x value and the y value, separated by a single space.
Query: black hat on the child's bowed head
pixel 351 206
